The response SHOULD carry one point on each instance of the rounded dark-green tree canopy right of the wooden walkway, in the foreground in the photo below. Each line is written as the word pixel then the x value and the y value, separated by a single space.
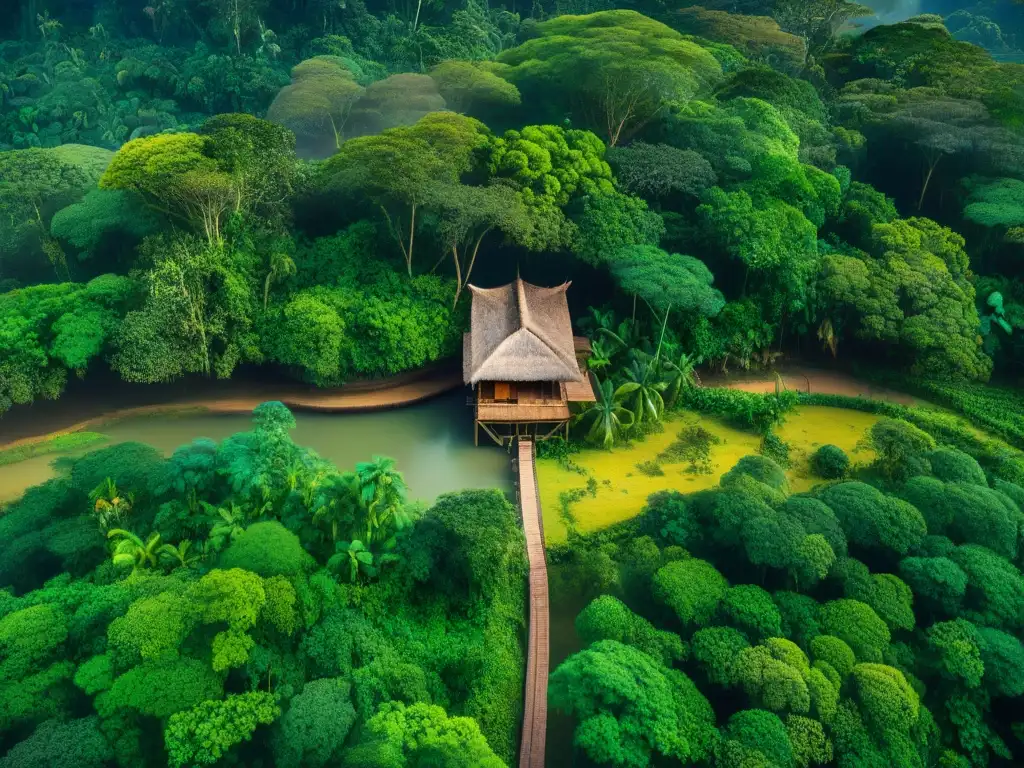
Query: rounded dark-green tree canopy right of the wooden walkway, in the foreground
pixel 874 621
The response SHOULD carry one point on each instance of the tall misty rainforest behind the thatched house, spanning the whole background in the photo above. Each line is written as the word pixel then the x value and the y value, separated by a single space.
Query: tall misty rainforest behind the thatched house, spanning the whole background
pixel 192 187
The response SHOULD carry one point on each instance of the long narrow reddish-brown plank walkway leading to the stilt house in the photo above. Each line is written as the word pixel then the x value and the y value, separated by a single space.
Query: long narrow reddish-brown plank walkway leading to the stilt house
pixel 535 717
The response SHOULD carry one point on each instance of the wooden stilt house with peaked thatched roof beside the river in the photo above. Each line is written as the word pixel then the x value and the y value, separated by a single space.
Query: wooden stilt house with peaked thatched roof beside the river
pixel 524 363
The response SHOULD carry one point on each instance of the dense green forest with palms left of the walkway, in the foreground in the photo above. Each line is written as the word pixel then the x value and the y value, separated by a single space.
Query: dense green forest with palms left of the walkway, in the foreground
pixel 259 607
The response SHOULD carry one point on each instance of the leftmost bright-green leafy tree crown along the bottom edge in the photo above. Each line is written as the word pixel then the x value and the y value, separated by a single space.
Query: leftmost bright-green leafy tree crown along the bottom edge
pixel 203 735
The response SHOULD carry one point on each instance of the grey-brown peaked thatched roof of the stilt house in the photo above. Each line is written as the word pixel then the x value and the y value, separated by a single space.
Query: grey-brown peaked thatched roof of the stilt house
pixel 520 332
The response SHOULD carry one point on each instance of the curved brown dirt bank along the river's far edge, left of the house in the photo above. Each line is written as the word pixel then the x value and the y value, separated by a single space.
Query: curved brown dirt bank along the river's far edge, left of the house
pixel 402 391
